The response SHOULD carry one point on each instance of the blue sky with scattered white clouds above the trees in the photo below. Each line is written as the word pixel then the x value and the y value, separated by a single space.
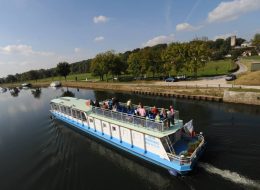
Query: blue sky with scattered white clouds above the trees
pixel 37 34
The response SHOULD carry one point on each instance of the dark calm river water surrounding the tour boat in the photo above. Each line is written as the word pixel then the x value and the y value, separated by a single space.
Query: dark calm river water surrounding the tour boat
pixel 37 152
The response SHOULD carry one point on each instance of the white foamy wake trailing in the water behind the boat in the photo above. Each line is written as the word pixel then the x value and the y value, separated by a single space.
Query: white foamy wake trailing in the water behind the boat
pixel 231 176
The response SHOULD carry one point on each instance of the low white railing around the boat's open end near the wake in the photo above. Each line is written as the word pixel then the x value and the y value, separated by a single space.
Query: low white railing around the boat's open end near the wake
pixel 184 159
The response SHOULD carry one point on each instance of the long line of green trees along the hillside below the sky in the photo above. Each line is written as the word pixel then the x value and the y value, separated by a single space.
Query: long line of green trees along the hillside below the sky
pixel 159 60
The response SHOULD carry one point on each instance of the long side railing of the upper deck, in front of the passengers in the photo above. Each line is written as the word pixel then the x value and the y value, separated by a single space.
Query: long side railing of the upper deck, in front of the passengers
pixel 133 119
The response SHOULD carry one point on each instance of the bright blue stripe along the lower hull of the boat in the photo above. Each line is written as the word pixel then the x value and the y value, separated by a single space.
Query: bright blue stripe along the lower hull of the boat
pixel 148 156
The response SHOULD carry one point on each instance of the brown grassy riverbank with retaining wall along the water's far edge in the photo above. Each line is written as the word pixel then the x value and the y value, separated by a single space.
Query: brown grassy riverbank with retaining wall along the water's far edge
pixel 167 90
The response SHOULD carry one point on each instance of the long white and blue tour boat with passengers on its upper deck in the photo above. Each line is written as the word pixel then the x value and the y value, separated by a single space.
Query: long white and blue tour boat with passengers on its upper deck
pixel 170 145
